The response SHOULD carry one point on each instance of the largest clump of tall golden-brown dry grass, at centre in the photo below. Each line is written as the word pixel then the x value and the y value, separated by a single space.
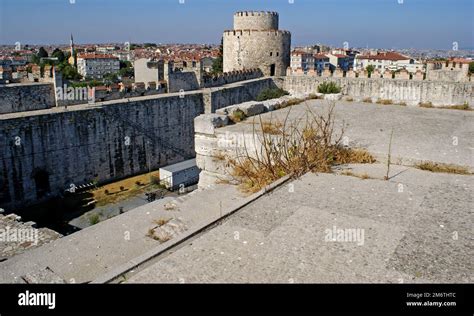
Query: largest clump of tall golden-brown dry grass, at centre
pixel 309 143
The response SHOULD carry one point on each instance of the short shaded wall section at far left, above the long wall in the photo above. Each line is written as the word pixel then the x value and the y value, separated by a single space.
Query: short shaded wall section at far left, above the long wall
pixel 26 97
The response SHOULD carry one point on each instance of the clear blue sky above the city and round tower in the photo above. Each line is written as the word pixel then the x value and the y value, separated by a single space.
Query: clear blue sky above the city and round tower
pixel 374 23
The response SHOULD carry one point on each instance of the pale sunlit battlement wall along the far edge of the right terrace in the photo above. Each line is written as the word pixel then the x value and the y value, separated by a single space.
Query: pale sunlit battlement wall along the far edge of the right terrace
pixel 411 92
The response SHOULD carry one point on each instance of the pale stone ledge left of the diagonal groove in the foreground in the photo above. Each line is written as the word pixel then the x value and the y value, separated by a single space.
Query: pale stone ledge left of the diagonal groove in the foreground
pixel 99 249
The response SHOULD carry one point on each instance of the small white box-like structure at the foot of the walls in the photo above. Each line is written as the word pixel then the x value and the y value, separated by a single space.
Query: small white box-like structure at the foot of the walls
pixel 179 175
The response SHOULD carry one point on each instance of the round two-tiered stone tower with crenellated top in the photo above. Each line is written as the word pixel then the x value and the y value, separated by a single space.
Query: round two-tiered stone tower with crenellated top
pixel 256 42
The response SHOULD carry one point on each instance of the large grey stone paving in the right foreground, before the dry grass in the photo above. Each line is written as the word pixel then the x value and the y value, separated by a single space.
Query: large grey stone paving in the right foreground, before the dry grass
pixel 417 228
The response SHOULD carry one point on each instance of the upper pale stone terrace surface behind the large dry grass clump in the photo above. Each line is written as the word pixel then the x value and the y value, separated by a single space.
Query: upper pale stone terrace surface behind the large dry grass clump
pixel 418 133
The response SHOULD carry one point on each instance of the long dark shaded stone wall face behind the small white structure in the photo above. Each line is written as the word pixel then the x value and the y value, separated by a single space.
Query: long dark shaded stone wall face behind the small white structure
pixel 99 143
